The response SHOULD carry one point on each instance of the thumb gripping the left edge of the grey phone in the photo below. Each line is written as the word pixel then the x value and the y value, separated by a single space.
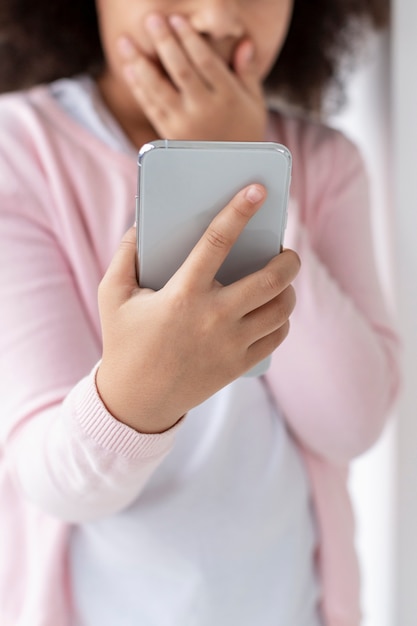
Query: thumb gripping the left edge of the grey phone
pixel 120 280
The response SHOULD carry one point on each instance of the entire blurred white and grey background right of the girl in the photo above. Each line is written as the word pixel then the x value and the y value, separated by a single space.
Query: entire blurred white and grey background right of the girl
pixel 381 118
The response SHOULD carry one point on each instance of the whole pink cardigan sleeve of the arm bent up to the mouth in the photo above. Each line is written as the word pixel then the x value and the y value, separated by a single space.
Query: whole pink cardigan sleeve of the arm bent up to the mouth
pixel 337 373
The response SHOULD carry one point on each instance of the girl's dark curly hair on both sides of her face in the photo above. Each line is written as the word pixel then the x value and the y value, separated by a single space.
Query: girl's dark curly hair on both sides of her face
pixel 41 40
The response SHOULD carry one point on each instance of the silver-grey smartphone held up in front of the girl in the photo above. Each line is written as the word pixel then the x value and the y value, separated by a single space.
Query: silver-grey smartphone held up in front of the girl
pixel 182 185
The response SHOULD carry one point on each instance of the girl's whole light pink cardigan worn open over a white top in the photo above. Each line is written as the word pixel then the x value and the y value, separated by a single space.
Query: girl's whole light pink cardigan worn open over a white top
pixel 65 200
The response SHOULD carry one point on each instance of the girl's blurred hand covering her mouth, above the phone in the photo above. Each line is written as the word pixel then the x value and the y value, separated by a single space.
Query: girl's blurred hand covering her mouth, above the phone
pixel 193 94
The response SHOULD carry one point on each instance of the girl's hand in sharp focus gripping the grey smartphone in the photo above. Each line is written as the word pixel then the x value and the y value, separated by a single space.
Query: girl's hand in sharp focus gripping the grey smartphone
pixel 166 351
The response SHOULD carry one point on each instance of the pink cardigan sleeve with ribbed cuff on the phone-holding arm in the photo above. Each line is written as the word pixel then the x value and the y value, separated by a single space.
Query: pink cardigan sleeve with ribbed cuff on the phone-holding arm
pixel 66 453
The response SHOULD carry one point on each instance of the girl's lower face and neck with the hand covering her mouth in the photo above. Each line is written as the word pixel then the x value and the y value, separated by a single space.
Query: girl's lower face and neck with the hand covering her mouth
pixel 190 69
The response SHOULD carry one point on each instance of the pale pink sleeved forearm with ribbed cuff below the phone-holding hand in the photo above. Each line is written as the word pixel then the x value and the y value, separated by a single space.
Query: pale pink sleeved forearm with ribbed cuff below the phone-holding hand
pixel 76 462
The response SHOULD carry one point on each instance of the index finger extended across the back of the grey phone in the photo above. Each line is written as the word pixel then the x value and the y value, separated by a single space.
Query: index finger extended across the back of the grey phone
pixel 212 249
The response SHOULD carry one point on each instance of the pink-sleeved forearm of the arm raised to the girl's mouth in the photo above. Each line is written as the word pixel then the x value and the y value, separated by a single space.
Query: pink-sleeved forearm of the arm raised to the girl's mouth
pixel 336 375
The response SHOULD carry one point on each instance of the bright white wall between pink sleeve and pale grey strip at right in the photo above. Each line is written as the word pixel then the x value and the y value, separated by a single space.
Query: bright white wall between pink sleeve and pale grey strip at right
pixel 367 121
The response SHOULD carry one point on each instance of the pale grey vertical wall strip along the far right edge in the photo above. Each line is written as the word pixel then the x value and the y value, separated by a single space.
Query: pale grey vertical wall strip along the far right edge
pixel 404 99
